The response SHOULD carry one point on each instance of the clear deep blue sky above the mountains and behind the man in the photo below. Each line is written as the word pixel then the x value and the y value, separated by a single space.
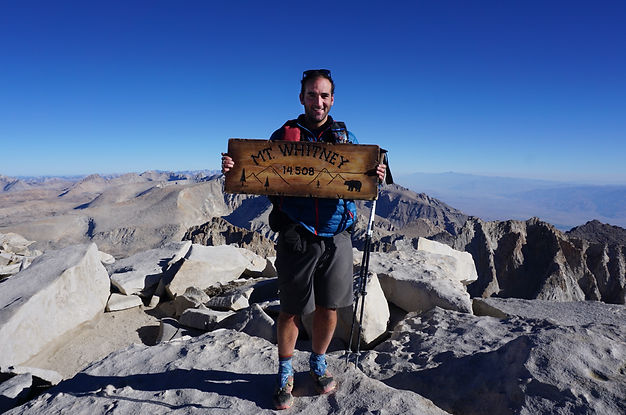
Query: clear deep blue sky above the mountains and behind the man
pixel 511 88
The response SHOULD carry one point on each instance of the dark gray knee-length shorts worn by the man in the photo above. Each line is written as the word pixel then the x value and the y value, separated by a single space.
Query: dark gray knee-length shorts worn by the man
pixel 322 275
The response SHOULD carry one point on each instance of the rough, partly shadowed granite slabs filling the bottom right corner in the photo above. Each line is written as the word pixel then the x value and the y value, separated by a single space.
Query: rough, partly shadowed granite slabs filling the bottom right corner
pixel 512 357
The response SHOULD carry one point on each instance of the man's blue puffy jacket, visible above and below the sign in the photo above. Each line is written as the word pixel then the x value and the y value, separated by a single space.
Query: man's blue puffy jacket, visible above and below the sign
pixel 320 216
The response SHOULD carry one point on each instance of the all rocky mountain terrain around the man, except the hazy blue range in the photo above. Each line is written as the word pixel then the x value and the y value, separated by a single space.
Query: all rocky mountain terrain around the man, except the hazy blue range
pixel 157 293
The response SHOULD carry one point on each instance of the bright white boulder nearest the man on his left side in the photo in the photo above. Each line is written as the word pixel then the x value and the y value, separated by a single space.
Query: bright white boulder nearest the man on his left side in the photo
pixel 205 266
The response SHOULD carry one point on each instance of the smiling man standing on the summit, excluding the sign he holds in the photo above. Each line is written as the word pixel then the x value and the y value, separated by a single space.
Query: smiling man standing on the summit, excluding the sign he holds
pixel 314 249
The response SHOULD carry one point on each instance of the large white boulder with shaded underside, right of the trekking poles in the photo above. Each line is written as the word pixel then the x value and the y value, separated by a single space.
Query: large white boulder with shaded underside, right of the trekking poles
pixel 420 280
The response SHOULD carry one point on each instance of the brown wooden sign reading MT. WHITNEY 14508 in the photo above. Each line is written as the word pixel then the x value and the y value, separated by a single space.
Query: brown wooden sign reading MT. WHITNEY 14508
pixel 303 168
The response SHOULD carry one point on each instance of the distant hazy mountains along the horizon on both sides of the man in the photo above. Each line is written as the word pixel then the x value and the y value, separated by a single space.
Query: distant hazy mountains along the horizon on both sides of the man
pixel 565 205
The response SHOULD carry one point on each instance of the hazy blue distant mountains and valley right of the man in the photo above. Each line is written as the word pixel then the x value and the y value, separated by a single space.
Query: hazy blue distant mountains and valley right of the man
pixel 501 198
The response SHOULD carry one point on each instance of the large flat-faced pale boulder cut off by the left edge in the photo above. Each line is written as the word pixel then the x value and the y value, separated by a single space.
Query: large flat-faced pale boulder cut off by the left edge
pixel 59 291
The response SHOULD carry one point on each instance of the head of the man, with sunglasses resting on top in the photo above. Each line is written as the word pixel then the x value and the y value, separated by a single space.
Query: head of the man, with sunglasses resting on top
pixel 317 95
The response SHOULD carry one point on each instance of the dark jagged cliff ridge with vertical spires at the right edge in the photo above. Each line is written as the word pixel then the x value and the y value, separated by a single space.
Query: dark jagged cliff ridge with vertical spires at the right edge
pixel 534 260
